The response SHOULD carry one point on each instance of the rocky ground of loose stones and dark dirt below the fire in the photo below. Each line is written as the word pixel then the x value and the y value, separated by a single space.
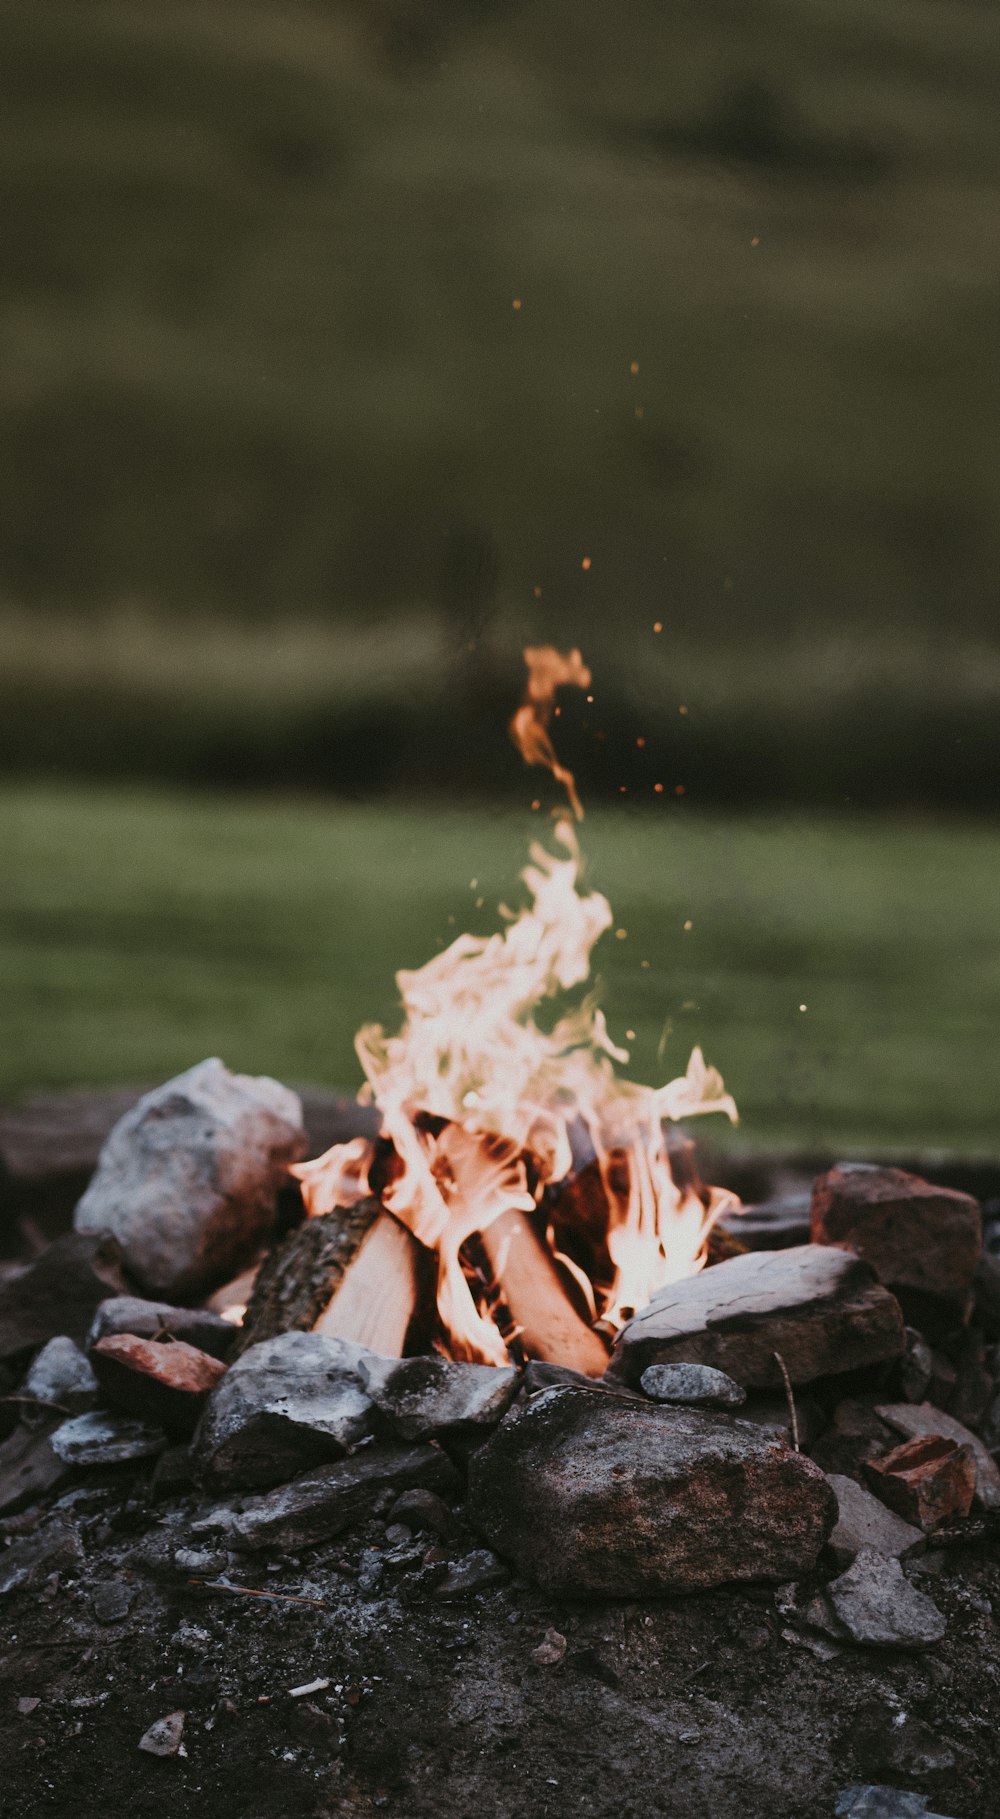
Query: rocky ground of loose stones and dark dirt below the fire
pixel 314 1582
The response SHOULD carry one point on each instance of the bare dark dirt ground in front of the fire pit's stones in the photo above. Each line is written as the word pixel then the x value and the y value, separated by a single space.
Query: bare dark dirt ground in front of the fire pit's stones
pixel 701 1707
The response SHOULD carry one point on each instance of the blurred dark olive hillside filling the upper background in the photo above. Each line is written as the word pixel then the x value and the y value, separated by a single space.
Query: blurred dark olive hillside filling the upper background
pixel 339 336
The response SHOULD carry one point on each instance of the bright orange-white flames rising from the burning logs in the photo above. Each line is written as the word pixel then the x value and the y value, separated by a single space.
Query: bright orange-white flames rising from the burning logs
pixel 490 1112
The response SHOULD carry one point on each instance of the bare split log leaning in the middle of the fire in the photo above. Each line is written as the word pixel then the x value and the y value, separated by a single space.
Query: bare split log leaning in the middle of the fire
pixel 528 1280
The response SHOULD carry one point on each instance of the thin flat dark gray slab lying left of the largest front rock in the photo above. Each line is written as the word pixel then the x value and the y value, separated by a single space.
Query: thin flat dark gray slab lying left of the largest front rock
pixel 330 1500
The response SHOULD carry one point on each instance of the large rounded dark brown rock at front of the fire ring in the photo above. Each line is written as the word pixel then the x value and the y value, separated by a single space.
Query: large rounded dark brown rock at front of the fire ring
pixel 590 1494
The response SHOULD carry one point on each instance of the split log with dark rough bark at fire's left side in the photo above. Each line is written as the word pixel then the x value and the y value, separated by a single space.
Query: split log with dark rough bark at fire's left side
pixel 350 1274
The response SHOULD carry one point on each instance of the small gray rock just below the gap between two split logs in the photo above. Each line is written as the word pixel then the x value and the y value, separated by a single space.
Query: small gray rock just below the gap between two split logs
pixel 430 1398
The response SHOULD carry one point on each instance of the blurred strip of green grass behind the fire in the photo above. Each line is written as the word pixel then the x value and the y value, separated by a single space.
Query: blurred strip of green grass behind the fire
pixel 143 930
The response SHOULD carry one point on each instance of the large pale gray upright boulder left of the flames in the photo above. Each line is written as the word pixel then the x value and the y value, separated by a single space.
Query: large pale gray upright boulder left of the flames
pixel 188 1180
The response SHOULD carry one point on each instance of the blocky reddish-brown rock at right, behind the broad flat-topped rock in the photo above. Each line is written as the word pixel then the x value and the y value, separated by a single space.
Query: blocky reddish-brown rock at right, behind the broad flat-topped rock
pixel 921 1241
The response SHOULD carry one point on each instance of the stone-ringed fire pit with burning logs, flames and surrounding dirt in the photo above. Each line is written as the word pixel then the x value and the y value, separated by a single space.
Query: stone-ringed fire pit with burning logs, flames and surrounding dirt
pixel 490 1460
